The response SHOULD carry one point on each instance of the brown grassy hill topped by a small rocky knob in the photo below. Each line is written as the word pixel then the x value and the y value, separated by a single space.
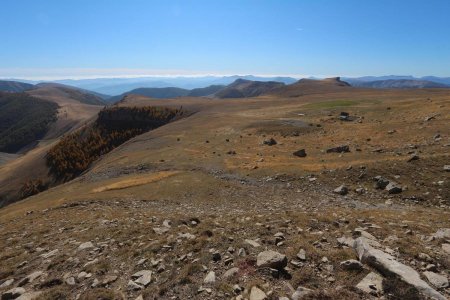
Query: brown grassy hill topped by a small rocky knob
pixel 311 86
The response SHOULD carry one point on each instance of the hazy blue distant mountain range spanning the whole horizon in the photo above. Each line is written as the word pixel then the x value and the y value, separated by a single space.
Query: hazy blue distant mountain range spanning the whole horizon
pixel 110 90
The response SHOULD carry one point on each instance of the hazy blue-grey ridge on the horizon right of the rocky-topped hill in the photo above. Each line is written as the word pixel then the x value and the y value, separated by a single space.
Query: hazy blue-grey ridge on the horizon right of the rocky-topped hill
pixel 398 84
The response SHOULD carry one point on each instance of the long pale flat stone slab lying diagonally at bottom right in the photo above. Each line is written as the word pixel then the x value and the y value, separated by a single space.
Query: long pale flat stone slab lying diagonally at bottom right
pixel 387 265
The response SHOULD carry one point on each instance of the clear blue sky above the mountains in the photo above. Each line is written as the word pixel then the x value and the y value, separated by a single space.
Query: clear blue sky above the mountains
pixel 89 38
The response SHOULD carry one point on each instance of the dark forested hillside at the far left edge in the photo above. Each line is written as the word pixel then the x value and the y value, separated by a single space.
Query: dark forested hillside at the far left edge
pixel 23 120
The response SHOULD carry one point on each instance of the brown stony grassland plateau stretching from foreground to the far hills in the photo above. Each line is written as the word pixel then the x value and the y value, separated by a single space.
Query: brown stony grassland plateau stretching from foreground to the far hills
pixel 202 198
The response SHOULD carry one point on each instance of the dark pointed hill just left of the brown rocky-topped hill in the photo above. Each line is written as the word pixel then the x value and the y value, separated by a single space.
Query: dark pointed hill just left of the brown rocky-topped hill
pixel 242 88
